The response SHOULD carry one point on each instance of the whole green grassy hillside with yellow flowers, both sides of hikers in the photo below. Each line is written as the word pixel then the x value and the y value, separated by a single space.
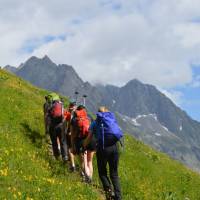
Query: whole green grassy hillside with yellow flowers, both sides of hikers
pixel 26 170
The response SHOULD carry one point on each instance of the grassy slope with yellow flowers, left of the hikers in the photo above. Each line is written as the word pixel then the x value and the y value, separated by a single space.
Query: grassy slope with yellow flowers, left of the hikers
pixel 26 169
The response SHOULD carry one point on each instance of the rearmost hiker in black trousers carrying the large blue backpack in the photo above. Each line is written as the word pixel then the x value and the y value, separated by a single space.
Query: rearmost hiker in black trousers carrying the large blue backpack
pixel 108 133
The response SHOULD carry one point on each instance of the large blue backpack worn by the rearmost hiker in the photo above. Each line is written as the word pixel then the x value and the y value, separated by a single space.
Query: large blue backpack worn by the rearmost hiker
pixel 107 125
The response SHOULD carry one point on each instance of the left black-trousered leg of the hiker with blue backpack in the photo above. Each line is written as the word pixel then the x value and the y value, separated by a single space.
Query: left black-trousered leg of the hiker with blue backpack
pixel 101 164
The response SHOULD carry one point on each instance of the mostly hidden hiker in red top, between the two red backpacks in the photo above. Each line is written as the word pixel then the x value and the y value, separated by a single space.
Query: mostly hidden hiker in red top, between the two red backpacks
pixel 68 116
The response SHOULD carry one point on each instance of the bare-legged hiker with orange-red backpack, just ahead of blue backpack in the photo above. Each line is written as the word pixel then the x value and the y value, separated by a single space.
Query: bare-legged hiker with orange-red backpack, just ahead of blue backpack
pixel 80 125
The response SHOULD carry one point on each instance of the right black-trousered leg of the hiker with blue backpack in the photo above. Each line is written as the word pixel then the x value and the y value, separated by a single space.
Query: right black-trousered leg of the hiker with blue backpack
pixel 113 168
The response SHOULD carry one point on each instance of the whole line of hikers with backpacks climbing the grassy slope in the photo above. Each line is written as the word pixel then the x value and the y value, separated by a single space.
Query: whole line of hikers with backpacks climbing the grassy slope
pixel 73 132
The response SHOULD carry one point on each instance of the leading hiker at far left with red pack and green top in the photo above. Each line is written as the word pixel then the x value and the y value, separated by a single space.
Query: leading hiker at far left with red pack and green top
pixel 56 128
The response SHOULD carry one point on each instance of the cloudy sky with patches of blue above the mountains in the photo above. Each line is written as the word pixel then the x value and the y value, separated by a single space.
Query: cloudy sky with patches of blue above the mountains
pixel 111 41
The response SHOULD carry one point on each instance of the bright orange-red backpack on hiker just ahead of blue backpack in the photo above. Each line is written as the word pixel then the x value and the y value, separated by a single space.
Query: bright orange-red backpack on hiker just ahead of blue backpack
pixel 82 122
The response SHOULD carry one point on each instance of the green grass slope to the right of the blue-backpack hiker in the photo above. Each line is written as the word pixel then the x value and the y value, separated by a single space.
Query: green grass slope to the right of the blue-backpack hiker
pixel 150 175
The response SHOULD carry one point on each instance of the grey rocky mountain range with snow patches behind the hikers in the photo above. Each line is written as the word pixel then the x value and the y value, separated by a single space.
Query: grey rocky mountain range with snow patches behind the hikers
pixel 141 109
